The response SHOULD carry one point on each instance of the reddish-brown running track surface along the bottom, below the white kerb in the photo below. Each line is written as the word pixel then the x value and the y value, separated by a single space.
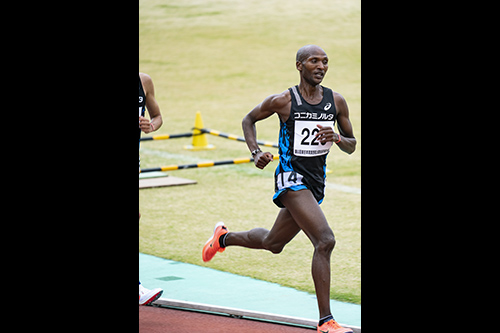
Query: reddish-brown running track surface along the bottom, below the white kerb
pixel 156 320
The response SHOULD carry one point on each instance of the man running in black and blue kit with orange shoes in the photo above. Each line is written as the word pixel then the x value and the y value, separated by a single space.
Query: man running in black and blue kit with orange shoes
pixel 307 114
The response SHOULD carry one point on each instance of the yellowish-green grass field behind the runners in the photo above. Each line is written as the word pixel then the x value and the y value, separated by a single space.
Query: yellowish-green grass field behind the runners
pixel 222 58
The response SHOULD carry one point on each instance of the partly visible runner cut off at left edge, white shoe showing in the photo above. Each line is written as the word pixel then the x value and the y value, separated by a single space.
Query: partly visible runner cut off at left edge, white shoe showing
pixel 147 100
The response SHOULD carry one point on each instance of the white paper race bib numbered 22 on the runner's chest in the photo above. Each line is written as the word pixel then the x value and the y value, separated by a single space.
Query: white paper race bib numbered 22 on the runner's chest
pixel 305 143
